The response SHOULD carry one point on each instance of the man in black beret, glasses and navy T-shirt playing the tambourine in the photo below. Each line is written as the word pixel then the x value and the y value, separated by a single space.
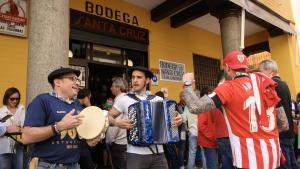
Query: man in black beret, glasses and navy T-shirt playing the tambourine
pixel 51 121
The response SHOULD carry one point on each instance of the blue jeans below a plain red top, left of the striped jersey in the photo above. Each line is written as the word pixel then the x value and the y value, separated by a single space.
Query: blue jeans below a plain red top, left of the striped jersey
pixel 210 158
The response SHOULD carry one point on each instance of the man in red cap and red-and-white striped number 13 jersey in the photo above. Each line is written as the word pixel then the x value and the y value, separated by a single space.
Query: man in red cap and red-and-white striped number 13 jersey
pixel 249 104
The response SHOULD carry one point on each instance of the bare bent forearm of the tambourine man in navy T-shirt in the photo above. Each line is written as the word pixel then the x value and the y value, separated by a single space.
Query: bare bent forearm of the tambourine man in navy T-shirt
pixel 36 134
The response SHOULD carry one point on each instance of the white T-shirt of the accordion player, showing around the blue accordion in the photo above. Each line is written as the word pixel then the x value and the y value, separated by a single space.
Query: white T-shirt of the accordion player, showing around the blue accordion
pixel 122 104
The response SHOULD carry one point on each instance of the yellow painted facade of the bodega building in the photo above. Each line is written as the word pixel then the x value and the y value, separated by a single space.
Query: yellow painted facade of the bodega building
pixel 165 43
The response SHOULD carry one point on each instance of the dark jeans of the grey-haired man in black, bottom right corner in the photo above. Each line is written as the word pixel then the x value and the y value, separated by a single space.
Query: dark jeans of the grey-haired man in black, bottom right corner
pixel 287 147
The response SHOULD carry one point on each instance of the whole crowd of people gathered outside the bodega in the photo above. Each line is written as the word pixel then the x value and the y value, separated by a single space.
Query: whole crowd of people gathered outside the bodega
pixel 249 120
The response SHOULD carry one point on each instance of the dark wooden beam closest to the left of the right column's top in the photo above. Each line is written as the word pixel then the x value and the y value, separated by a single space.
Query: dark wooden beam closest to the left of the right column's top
pixel 193 12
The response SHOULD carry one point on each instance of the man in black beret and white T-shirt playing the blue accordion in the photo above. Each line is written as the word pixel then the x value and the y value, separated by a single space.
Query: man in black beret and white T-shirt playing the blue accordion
pixel 138 157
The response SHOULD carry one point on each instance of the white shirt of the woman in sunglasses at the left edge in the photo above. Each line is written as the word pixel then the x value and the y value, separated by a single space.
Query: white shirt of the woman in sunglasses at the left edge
pixel 6 143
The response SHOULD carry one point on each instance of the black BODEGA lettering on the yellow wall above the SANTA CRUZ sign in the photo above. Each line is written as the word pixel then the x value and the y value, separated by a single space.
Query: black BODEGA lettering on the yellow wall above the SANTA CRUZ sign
pixel 110 13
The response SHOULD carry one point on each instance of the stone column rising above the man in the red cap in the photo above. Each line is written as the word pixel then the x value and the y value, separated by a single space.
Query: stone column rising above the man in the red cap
pixel 230 26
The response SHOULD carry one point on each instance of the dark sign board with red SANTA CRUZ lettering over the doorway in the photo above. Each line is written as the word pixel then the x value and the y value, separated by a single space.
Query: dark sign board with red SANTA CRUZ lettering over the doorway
pixel 92 23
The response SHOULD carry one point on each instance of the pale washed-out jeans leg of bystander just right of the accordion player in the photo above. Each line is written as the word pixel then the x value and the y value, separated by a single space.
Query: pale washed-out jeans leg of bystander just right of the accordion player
pixel 193 141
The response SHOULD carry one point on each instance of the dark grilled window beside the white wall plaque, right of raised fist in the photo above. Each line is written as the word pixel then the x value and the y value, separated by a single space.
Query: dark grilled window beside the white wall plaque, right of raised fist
pixel 206 70
